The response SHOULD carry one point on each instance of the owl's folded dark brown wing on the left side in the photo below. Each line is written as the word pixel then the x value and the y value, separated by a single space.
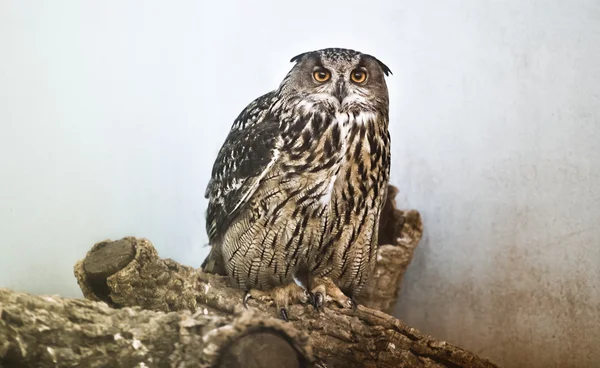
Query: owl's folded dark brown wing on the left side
pixel 249 152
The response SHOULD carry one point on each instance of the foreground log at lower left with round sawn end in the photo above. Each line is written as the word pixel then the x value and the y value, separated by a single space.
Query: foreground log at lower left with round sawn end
pixel 55 332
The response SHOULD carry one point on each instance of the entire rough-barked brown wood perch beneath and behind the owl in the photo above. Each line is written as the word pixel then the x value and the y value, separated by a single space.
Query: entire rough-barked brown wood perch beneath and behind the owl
pixel 147 311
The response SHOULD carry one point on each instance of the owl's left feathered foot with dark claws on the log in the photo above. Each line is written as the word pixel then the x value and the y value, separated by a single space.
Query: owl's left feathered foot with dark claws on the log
pixel 283 297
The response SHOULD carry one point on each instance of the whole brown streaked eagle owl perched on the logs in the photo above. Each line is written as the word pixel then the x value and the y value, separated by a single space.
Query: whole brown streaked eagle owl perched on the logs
pixel 298 186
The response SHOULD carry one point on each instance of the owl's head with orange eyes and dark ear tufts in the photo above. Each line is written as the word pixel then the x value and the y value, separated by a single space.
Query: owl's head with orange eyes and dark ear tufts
pixel 343 78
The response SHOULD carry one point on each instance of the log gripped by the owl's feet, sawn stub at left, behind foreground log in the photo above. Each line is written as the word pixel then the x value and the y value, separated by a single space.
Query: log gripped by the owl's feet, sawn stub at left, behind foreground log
pixel 364 337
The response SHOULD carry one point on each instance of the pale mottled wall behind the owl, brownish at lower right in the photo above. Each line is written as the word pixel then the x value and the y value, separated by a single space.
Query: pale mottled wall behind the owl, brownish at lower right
pixel 112 113
